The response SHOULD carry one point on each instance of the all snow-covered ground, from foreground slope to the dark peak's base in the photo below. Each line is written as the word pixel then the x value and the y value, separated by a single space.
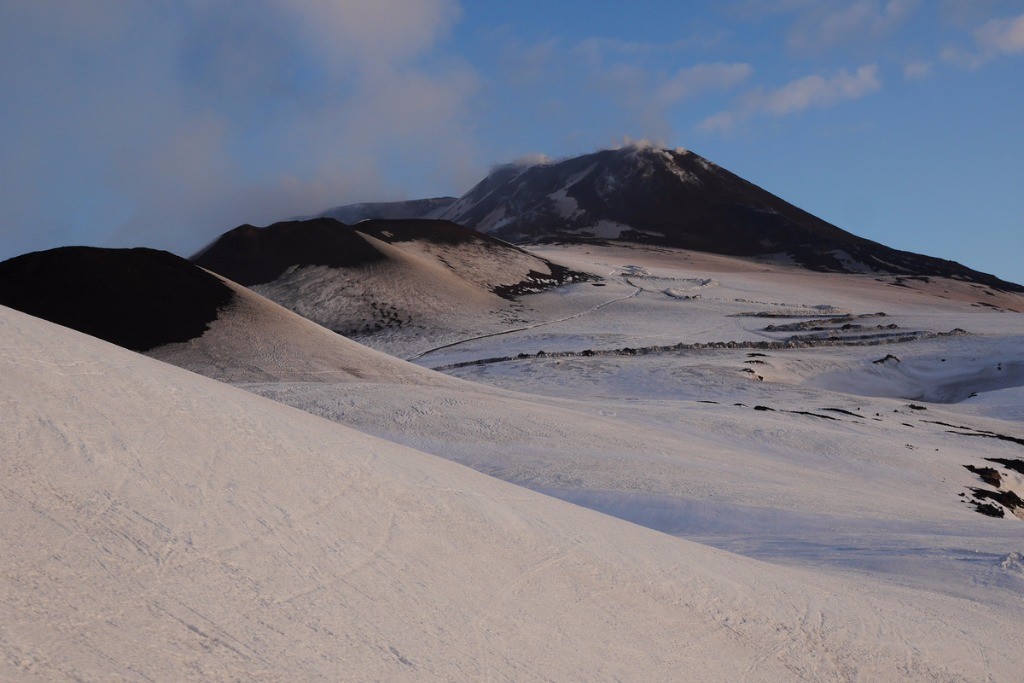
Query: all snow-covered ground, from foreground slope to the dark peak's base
pixel 162 525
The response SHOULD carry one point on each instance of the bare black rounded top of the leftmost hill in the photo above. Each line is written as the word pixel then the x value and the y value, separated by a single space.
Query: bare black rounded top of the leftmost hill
pixel 137 298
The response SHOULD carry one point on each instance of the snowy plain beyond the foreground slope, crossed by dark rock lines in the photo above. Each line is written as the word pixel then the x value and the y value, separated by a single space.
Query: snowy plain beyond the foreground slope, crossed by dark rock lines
pixel 750 414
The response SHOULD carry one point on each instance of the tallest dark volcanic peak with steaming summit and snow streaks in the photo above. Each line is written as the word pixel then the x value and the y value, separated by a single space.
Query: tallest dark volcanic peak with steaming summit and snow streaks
pixel 675 198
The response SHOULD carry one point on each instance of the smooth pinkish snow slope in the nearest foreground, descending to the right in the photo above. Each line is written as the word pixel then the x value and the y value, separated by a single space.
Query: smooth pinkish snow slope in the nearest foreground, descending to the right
pixel 163 526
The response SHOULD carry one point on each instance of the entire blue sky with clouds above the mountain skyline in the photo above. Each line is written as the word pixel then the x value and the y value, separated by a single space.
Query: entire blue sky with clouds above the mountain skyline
pixel 166 123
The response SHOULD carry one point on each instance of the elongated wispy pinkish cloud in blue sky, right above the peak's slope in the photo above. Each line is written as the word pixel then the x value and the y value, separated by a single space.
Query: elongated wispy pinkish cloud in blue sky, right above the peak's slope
pixel 809 93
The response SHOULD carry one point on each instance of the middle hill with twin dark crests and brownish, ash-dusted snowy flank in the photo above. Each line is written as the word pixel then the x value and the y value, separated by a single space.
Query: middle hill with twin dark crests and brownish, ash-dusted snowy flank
pixel 409 279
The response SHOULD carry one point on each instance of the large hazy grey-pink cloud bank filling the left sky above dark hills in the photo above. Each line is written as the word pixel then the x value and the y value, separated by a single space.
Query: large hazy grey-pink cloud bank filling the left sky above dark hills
pixel 168 123
